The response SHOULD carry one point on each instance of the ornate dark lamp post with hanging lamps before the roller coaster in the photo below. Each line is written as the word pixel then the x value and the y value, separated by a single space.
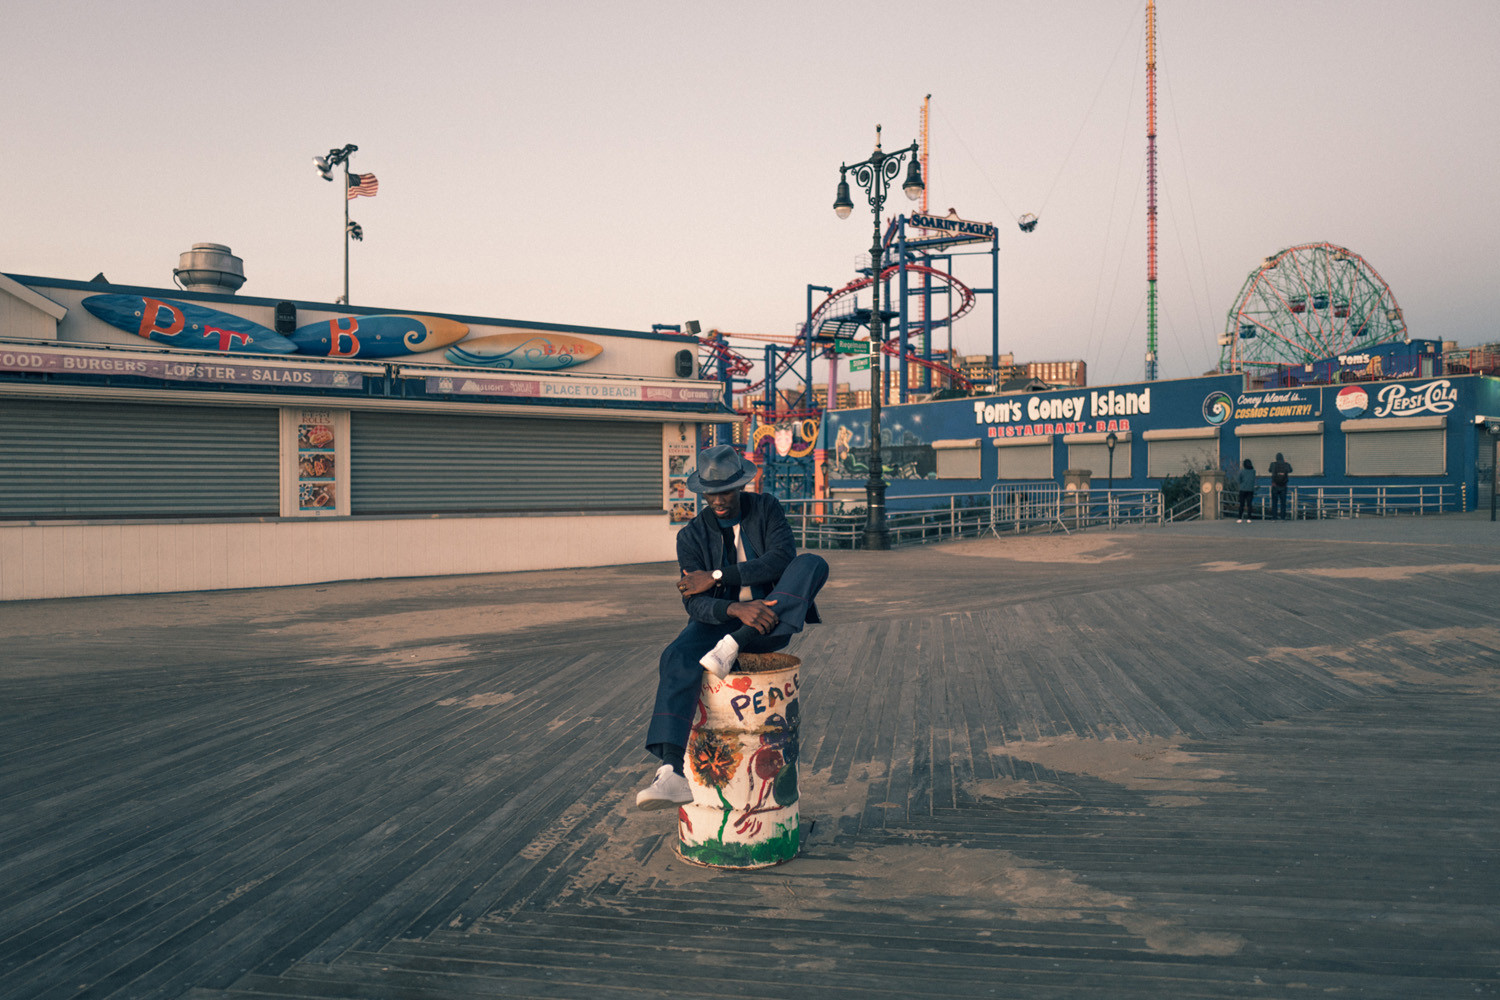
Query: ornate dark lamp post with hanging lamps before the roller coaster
pixel 875 176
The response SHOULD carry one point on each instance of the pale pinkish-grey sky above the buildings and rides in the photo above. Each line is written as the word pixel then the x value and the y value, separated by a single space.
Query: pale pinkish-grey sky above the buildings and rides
pixel 622 164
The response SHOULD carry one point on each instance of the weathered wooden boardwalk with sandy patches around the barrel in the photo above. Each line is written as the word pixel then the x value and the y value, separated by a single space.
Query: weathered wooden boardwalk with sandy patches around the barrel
pixel 1190 762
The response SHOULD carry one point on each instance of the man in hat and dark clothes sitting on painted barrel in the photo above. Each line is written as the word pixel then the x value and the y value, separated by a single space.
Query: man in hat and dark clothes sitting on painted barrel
pixel 745 590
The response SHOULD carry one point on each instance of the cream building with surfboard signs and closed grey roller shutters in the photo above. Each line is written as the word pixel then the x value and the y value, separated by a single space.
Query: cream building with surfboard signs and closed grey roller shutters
pixel 169 440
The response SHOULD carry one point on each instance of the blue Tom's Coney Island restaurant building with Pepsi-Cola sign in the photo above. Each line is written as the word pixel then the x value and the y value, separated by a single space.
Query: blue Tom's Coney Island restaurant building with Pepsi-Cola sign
pixel 1393 433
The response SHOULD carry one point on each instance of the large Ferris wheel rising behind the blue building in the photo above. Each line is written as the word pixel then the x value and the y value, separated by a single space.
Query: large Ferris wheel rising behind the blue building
pixel 1306 304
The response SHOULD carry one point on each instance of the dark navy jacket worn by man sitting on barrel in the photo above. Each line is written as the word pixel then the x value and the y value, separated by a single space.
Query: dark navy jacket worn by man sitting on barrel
pixel 766 533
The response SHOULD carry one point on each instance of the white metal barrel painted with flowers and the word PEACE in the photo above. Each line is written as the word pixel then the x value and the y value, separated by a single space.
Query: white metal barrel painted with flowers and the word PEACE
pixel 742 762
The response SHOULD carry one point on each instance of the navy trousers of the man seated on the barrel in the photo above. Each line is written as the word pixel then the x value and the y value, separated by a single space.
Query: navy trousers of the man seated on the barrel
pixel 682 675
